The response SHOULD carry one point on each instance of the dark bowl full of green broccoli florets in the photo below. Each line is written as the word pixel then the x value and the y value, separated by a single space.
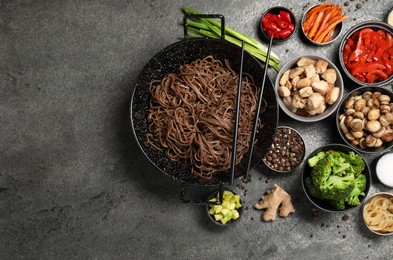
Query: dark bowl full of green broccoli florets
pixel 336 178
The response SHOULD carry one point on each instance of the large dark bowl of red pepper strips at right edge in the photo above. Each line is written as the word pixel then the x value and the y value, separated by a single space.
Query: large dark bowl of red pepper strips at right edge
pixel 366 53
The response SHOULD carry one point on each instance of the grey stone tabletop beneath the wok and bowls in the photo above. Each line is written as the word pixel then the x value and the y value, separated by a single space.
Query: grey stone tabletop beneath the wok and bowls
pixel 73 182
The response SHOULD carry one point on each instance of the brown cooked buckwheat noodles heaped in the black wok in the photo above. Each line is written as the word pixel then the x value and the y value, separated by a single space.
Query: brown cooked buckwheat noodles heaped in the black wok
pixel 191 115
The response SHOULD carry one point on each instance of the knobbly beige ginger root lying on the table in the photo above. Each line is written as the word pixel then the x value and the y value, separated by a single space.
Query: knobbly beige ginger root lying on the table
pixel 272 201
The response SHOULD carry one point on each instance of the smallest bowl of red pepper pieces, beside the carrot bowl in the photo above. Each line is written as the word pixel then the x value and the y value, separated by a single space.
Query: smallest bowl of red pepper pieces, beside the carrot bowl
pixel 278 22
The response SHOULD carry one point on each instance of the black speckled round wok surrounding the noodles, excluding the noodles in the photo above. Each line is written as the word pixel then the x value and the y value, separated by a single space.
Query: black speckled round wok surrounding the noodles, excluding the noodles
pixel 169 60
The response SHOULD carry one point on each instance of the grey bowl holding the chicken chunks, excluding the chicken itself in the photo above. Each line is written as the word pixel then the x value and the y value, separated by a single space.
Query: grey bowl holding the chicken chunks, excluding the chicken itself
pixel 330 108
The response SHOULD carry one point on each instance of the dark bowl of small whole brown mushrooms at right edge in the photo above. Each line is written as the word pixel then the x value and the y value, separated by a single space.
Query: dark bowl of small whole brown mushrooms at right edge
pixel 365 119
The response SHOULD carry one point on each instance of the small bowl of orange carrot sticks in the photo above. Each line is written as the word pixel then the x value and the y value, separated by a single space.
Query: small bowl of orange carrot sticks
pixel 322 24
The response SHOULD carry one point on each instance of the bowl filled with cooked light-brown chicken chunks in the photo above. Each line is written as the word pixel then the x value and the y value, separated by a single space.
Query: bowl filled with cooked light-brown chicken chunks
pixel 310 88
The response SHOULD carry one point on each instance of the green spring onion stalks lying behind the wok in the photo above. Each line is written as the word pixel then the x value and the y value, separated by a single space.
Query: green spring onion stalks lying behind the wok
pixel 212 29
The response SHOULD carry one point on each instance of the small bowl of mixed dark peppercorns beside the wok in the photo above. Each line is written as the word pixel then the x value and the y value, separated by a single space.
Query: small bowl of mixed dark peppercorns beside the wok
pixel 286 152
